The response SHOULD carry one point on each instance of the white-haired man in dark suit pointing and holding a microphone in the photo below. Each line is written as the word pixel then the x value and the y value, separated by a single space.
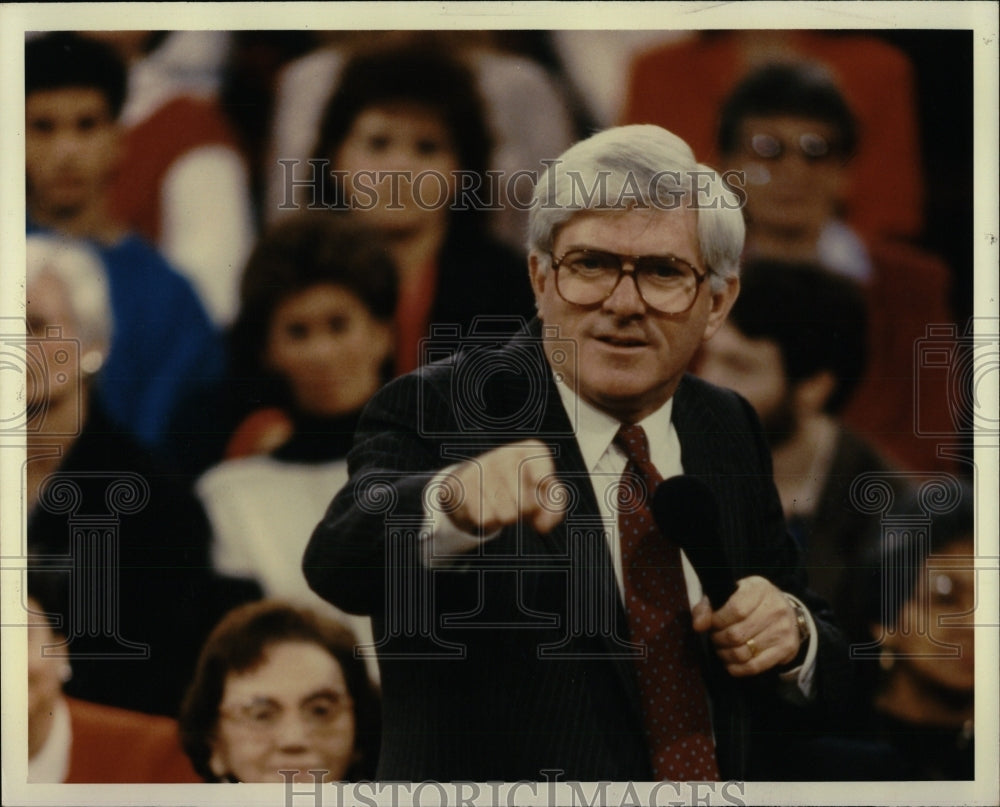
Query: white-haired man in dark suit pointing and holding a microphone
pixel 533 617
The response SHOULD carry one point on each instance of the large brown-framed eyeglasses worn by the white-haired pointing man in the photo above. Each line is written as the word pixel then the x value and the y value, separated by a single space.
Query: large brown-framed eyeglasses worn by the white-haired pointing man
pixel 588 277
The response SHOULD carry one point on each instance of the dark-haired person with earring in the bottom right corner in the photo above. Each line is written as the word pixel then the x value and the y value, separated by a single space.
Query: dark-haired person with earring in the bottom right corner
pixel 923 620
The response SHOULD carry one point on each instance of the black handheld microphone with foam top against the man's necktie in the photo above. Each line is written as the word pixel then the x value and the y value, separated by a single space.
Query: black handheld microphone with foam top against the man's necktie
pixel 686 512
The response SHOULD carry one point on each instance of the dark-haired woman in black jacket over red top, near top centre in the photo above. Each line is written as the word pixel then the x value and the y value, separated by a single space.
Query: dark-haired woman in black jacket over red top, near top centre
pixel 406 148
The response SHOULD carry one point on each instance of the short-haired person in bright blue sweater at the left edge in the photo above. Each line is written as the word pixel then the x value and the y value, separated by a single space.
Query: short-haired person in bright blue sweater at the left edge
pixel 165 355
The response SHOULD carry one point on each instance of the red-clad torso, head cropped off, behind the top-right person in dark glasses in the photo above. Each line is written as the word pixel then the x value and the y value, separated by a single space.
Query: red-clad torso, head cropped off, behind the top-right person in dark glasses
pixel 884 194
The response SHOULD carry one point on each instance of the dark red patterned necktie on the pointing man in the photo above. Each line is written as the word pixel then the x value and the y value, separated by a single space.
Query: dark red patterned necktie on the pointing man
pixel 674 697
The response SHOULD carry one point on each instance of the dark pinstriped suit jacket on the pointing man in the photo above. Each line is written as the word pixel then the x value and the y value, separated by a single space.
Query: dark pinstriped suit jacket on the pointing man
pixel 514 660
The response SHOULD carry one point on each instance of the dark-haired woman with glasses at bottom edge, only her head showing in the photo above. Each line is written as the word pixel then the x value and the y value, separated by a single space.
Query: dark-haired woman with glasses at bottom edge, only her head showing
pixel 278 692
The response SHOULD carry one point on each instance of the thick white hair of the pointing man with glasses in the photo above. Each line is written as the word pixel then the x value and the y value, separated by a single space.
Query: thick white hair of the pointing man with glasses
pixel 640 166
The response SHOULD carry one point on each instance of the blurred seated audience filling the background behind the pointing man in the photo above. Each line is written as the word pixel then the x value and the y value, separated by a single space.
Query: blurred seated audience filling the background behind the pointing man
pixel 227 339
